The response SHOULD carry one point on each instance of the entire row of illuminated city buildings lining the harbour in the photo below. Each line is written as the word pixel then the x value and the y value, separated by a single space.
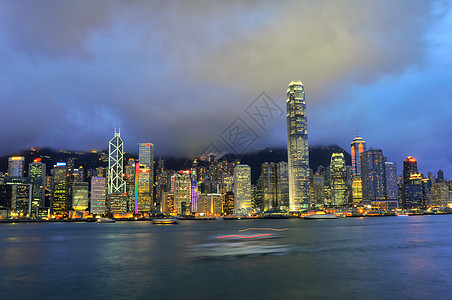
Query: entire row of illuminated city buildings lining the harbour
pixel 212 187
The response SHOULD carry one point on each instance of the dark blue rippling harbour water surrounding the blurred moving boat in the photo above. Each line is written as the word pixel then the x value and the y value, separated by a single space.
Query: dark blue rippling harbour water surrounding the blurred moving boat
pixel 393 257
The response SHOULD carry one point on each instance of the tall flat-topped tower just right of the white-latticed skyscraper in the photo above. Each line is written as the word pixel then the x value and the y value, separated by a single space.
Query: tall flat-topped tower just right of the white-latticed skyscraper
pixel 145 176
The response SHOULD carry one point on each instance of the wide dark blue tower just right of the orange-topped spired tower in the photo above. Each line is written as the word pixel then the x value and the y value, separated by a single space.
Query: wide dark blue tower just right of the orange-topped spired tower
pixel 373 174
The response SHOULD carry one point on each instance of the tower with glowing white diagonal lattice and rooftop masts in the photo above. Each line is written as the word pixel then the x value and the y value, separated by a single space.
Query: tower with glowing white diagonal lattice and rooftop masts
pixel 116 183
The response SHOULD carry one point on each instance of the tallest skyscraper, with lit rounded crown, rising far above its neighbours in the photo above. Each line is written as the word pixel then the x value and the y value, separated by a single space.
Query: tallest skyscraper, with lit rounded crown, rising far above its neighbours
pixel 297 146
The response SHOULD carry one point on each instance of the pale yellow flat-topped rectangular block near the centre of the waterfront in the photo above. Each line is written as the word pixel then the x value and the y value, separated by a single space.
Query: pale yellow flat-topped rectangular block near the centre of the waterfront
pixel 242 189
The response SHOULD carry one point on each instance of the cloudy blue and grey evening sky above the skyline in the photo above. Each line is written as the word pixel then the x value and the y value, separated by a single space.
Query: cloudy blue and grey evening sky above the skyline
pixel 182 74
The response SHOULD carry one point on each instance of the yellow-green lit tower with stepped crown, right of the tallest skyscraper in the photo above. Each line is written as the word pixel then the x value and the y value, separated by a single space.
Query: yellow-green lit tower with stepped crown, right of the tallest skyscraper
pixel 339 195
